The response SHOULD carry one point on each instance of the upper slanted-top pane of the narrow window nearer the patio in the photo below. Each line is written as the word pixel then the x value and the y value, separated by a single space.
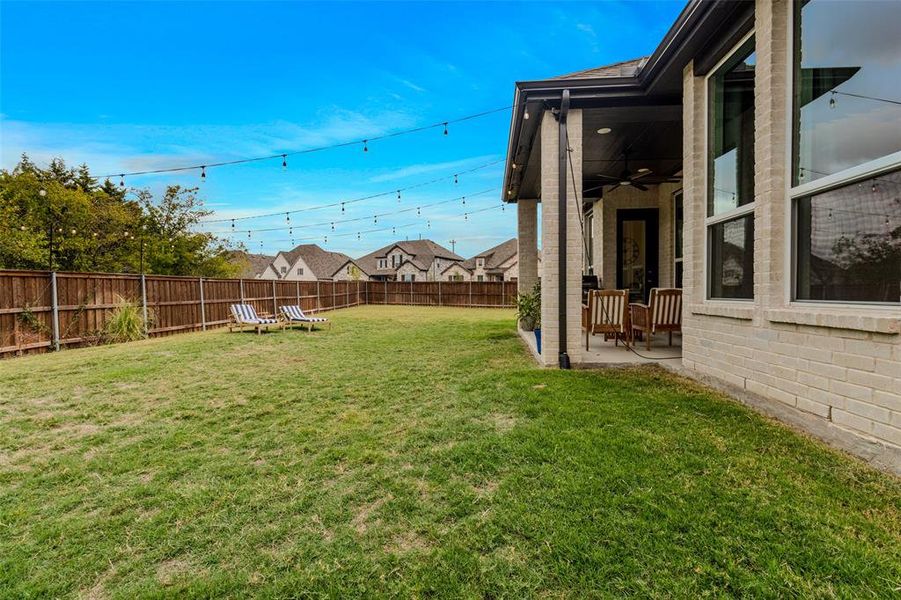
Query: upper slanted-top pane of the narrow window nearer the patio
pixel 731 165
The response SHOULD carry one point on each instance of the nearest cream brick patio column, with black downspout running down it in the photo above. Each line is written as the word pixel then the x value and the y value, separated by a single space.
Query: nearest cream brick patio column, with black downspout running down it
pixel 550 280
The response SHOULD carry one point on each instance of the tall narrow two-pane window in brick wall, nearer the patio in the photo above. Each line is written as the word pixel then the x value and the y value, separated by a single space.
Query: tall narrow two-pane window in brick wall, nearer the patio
pixel 730 186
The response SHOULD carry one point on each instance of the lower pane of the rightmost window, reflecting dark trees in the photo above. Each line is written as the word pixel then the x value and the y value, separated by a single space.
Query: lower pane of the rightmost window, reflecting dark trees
pixel 849 242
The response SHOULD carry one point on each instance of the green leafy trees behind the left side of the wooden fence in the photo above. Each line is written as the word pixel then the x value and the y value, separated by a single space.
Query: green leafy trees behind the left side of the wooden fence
pixel 102 227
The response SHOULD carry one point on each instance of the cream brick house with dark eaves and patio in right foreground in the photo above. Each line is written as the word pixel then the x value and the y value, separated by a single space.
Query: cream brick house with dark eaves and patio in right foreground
pixel 754 161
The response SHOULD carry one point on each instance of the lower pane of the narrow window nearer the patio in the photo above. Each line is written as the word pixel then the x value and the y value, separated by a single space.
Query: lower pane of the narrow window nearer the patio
pixel 731 264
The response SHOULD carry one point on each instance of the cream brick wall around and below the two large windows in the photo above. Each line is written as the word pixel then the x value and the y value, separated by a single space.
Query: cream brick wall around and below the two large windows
pixel 835 372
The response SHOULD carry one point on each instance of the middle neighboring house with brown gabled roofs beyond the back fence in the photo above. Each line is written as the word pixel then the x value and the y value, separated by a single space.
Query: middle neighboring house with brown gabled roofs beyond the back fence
pixel 411 260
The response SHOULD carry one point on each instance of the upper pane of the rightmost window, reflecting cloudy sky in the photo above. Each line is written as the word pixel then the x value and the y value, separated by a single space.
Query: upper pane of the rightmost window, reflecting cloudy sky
pixel 847 85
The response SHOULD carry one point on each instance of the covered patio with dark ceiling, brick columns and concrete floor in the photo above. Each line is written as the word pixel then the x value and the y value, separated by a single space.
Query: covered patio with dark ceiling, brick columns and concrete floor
pixel 595 168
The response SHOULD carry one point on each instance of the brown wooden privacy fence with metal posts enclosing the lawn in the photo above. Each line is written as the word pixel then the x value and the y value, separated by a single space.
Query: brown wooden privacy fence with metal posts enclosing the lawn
pixel 40 310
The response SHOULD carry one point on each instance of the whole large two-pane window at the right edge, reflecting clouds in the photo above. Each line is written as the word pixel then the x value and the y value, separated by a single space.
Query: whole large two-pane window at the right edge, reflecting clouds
pixel 846 152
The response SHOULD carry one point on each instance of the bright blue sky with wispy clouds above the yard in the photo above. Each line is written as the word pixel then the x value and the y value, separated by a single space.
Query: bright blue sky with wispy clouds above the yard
pixel 128 86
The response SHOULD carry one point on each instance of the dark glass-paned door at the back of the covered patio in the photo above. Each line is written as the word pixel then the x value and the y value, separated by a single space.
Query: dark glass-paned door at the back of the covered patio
pixel 636 252
